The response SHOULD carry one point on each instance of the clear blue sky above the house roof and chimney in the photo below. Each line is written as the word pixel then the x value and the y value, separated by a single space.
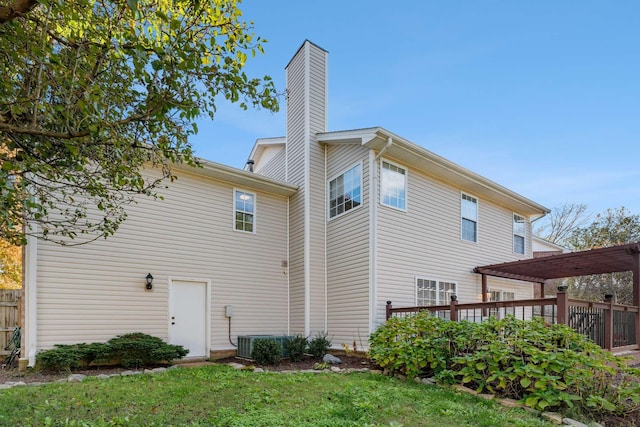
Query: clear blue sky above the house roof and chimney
pixel 542 97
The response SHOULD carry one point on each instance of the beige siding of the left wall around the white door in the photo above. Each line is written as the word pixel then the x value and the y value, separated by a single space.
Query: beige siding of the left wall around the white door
pixel 93 292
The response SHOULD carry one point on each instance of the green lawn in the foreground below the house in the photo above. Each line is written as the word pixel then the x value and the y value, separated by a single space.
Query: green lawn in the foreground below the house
pixel 222 396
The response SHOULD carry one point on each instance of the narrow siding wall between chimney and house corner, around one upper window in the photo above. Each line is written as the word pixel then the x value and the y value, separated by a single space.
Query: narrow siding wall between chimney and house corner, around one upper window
pixel 348 256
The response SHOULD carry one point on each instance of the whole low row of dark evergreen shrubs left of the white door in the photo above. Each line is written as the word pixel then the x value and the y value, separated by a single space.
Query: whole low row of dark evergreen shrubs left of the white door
pixel 130 350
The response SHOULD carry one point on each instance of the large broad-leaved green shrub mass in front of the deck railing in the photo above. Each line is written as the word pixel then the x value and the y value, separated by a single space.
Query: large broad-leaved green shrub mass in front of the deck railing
pixel 545 366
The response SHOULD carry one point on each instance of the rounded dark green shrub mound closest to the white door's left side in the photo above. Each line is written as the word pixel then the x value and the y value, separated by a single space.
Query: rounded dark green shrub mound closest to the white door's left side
pixel 137 349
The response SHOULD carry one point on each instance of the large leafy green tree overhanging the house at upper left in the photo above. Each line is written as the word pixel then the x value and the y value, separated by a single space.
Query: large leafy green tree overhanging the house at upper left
pixel 92 91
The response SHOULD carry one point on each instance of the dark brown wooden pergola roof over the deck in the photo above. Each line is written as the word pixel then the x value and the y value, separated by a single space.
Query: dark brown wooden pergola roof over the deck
pixel 614 259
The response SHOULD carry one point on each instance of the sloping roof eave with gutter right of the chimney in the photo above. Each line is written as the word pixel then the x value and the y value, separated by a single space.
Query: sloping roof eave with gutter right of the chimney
pixel 435 166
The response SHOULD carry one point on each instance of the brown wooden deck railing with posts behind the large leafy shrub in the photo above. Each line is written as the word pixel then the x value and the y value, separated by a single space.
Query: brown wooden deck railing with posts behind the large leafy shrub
pixel 607 324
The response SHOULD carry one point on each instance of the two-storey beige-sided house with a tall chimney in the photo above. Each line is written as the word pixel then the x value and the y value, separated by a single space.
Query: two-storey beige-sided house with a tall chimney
pixel 316 234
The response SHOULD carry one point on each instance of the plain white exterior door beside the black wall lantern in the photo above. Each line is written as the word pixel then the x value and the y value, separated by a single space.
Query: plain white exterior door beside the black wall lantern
pixel 188 316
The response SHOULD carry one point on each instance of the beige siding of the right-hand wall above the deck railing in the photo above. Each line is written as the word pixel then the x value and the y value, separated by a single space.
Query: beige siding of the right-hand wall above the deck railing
pixel 425 241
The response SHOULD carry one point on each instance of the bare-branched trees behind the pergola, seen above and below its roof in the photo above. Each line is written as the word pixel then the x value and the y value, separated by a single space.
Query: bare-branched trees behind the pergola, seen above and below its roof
pixel 614 227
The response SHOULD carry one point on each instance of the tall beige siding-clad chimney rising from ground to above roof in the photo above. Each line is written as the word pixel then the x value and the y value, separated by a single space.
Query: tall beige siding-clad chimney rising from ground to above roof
pixel 306 116
